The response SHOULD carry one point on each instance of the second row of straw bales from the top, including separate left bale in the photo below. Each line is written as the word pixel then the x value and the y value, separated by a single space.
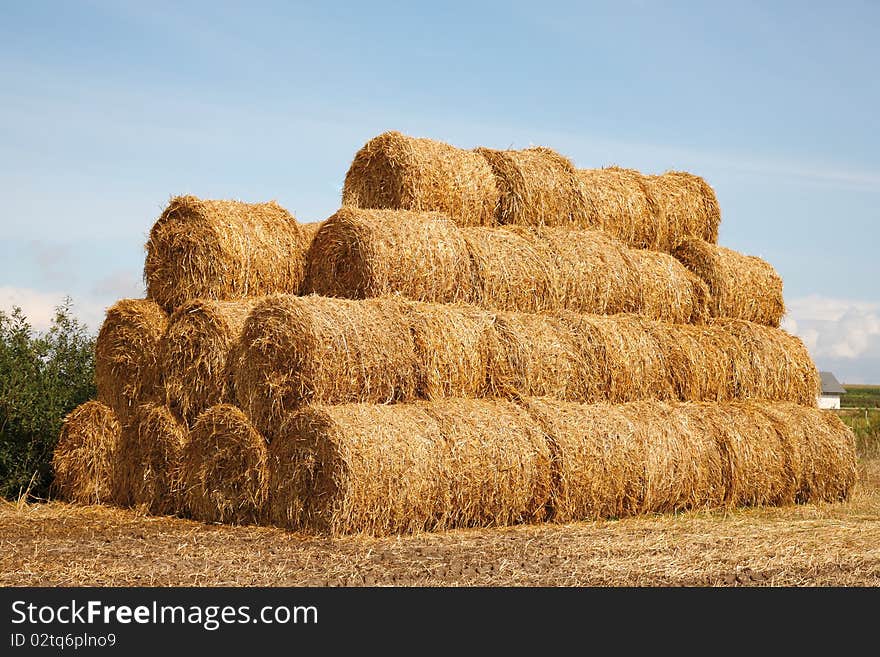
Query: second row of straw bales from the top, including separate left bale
pixel 228 250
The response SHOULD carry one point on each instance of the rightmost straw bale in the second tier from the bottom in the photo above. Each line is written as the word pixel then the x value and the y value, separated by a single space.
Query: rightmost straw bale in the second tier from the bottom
pixel 770 364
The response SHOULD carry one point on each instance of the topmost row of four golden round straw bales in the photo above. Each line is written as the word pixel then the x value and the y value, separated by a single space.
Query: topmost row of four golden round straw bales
pixel 533 187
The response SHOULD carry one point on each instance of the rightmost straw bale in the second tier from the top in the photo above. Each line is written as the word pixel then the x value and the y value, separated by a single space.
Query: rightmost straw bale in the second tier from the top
pixel 740 286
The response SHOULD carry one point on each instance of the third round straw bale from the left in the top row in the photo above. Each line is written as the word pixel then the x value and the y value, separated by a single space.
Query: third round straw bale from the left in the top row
pixel 622 206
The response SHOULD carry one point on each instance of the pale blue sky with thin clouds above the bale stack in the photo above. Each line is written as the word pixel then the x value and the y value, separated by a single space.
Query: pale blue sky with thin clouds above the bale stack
pixel 107 109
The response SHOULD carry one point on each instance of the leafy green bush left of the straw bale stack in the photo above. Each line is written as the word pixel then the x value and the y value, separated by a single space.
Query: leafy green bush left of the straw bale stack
pixel 43 376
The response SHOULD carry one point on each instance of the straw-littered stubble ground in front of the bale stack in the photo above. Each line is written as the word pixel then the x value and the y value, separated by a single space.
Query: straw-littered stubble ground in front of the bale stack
pixel 835 544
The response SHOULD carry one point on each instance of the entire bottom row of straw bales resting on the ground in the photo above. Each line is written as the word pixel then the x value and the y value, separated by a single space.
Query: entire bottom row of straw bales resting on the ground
pixel 427 466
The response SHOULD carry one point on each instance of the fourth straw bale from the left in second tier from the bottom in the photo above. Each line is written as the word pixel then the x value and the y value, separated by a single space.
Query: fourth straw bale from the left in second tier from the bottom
pixel 454 346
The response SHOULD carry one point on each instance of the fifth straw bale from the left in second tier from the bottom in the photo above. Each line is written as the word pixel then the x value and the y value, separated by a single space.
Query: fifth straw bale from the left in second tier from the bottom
pixel 537 355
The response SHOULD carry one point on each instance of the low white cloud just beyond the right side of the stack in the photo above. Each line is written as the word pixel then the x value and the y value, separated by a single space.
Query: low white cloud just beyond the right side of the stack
pixel 841 334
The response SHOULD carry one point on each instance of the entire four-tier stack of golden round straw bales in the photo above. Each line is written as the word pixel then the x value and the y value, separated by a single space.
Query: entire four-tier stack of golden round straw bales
pixel 476 338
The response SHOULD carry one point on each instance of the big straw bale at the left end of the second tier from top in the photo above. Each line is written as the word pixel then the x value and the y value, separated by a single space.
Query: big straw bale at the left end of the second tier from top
pixel 205 249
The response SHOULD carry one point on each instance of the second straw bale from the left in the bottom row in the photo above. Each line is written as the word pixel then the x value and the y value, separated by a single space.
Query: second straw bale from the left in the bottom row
pixel 147 464
